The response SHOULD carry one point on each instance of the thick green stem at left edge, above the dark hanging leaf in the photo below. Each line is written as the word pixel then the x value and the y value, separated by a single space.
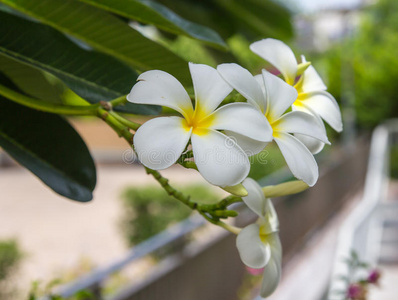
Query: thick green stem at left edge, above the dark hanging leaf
pixel 47 106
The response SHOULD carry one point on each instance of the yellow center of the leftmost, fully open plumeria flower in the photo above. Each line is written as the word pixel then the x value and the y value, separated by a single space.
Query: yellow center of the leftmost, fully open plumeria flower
pixel 199 120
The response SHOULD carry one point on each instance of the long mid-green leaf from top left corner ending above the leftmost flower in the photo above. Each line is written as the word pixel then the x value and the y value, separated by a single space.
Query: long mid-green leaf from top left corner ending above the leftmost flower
pixel 105 33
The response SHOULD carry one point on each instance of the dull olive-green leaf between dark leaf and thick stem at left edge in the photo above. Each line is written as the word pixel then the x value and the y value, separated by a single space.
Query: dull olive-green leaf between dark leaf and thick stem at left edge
pixel 30 80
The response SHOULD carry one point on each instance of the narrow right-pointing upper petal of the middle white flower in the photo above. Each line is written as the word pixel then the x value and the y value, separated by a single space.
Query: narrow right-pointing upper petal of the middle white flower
pixel 302 123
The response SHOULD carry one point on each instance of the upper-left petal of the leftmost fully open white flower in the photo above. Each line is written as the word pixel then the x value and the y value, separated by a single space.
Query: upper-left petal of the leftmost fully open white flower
pixel 161 88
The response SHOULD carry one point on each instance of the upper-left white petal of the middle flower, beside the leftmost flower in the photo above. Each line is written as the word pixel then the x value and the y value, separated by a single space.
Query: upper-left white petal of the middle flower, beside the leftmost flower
pixel 244 82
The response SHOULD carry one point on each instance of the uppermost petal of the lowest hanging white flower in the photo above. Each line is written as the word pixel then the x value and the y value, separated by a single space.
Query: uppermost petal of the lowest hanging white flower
pixel 255 200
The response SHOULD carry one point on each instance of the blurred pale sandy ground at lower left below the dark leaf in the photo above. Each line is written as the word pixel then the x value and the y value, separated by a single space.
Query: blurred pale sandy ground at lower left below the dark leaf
pixel 56 233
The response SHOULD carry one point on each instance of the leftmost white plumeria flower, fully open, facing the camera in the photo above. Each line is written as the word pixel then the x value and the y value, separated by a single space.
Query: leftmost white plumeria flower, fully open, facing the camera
pixel 160 142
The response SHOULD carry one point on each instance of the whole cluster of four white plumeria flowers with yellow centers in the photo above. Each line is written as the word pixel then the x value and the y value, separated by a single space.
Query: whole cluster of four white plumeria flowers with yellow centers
pixel 287 109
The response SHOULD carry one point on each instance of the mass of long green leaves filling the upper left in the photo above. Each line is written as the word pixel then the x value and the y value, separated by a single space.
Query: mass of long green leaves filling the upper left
pixel 51 50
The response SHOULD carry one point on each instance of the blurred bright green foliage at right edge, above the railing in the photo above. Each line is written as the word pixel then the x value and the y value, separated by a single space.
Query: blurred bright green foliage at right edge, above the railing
pixel 371 58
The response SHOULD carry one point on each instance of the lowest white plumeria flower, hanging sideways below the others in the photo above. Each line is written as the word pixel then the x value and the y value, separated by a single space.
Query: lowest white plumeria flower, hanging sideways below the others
pixel 258 244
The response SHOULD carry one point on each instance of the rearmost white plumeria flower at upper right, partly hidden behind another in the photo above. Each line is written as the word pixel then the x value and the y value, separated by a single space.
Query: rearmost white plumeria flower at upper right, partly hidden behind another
pixel 312 96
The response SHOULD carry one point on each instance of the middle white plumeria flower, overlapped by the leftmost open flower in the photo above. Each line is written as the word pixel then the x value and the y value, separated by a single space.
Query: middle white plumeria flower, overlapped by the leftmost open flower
pixel 272 96
